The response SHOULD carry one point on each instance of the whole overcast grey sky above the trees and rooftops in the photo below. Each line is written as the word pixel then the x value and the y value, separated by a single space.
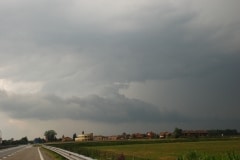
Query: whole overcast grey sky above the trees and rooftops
pixel 110 67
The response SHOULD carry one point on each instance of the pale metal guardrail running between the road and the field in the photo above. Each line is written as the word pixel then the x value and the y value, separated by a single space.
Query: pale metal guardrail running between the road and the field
pixel 67 154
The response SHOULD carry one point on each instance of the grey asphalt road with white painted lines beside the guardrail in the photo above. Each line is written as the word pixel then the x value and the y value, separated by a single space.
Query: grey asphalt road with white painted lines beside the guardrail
pixel 23 153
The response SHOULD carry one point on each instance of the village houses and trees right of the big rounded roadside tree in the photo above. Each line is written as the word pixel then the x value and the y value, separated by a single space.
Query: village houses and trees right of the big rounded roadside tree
pixel 152 135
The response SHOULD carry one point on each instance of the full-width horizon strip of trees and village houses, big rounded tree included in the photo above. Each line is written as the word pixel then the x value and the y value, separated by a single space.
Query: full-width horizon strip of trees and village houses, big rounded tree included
pixel 82 137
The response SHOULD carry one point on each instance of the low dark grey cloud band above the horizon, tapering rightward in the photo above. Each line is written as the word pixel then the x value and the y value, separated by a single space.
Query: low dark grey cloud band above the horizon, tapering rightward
pixel 93 108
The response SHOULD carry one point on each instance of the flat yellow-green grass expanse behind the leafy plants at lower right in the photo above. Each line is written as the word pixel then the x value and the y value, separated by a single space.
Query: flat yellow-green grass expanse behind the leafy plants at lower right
pixel 170 151
